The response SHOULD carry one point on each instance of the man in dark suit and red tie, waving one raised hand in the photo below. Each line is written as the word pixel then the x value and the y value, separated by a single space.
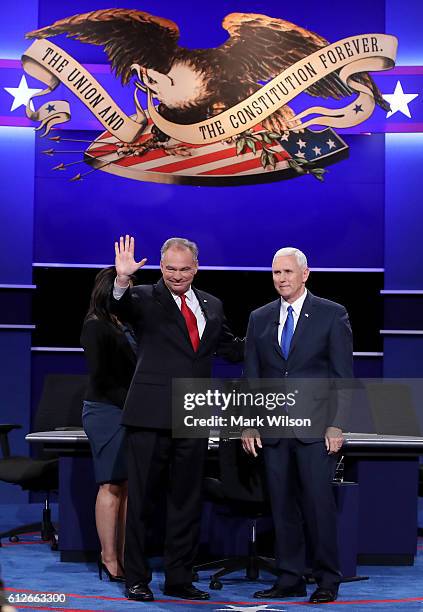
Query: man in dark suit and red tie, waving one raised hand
pixel 178 329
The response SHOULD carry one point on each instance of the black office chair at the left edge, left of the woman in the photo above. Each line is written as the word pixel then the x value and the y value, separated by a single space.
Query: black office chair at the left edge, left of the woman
pixel 60 407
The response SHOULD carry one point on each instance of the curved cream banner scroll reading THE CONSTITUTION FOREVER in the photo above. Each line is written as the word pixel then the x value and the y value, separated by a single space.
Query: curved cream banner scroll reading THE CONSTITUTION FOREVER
pixel 367 52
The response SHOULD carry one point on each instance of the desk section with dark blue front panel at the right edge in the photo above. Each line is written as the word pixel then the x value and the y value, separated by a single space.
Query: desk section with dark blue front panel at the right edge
pixel 387 470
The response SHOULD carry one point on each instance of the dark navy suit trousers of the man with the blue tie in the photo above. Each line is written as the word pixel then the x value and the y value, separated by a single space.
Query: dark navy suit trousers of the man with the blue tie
pixel 300 478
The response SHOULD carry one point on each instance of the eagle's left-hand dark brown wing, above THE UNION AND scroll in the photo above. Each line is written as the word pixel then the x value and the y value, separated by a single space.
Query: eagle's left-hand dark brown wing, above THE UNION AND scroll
pixel 128 37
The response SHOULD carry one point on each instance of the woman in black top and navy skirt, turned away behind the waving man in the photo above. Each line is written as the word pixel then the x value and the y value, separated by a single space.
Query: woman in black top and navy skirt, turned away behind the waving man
pixel 110 350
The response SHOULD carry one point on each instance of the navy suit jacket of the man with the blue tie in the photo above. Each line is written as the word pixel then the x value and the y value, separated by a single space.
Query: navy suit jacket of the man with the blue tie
pixel 321 349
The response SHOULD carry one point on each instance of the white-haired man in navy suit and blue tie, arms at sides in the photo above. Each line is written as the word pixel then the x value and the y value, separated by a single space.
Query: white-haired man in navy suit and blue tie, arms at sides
pixel 302 336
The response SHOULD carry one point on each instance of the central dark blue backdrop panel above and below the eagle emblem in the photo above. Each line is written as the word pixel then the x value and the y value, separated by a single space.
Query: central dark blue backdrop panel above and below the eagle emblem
pixel 76 223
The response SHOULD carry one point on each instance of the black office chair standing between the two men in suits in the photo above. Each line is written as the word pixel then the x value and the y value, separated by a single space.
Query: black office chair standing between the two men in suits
pixel 241 490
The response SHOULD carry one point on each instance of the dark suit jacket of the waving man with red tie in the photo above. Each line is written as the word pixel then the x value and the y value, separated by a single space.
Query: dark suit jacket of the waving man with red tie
pixel 165 350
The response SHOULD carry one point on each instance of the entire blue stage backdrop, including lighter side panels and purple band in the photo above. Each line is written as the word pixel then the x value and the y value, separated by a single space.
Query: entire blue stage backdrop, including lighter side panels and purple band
pixel 348 221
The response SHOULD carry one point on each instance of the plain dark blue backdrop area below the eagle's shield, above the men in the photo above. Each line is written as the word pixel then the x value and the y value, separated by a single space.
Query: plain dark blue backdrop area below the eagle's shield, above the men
pixel 234 226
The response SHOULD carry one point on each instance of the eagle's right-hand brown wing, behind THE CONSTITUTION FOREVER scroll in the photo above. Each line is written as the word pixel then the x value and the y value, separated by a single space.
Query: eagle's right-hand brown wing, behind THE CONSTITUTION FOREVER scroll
pixel 261 47
